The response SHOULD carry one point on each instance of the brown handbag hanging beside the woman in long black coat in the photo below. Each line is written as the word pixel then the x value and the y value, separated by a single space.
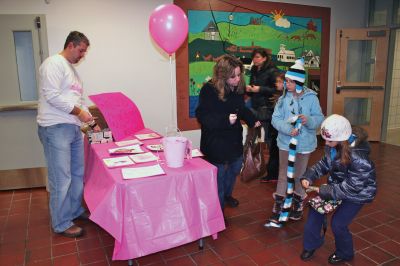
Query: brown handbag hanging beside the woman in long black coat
pixel 254 165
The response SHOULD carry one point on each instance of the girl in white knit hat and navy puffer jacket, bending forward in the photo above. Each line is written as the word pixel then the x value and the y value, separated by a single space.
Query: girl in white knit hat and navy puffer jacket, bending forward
pixel 351 180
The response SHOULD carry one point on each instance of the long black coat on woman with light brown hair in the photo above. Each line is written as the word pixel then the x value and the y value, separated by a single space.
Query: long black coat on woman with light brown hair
pixel 220 141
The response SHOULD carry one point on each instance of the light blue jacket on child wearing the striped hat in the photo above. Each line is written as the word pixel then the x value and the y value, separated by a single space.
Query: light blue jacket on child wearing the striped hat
pixel 289 106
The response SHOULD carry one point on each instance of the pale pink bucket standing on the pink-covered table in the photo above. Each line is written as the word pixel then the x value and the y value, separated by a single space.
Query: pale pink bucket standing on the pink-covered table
pixel 175 150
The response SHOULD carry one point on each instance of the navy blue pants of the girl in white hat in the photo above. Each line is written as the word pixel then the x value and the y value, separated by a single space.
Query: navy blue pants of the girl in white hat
pixel 341 219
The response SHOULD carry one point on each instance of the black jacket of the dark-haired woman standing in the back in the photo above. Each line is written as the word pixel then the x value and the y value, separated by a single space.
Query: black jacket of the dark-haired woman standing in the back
pixel 265 78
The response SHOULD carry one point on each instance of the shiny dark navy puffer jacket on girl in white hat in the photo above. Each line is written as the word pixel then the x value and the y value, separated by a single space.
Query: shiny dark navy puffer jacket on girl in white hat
pixel 354 183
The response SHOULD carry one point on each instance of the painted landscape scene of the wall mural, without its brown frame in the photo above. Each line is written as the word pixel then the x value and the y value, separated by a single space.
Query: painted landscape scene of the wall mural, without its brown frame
pixel 212 34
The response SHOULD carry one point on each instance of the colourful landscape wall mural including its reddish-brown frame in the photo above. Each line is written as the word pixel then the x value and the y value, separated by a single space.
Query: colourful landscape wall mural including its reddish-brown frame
pixel 218 27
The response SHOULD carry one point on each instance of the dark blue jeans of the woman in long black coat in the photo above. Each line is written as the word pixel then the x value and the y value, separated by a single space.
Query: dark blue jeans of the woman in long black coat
pixel 226 178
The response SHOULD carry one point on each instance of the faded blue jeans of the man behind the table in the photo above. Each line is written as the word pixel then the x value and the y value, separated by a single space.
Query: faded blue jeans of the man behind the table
pixel 63 149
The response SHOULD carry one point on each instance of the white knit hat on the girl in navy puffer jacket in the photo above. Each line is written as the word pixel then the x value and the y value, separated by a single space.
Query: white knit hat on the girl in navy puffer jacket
pixel 336 128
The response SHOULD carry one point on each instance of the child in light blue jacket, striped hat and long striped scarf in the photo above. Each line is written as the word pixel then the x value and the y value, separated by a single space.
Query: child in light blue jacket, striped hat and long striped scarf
pixel 297 101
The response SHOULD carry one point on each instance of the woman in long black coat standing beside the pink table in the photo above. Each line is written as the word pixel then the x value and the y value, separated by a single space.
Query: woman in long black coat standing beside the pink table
pixel 220 109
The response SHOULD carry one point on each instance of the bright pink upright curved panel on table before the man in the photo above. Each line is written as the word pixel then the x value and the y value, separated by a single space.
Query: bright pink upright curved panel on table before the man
pixel 121 113
